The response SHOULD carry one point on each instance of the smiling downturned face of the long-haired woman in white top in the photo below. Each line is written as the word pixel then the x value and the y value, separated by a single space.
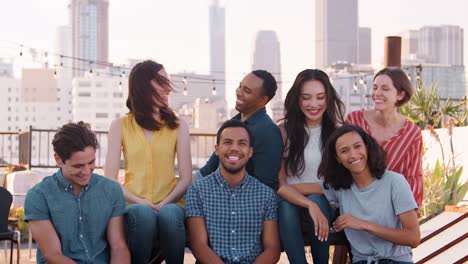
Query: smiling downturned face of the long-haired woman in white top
pixel 313 102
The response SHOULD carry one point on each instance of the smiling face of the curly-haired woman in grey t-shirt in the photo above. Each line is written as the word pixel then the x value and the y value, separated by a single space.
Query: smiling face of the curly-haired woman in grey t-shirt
pixel 351 151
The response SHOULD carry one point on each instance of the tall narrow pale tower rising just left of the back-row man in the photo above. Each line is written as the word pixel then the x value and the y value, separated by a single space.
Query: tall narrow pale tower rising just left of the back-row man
pixel 218 47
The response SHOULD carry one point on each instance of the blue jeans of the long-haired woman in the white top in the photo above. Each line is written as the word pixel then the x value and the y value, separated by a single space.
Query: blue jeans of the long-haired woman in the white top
pixel 289 218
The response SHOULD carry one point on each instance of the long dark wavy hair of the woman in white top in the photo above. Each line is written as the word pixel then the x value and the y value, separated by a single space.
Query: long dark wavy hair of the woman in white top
pixel 295 121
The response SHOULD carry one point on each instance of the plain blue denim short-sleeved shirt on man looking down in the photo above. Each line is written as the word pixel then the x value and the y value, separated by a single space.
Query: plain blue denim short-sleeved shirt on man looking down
pixel 80 221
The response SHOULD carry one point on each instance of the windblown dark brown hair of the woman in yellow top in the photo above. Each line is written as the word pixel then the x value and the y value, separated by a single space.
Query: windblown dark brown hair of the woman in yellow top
pixel 142 96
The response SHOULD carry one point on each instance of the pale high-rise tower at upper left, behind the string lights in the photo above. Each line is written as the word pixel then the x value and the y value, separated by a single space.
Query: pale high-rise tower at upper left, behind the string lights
pixel 90 33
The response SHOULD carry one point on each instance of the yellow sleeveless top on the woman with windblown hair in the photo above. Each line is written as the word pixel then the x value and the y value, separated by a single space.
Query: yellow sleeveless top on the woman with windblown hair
pixel 149 166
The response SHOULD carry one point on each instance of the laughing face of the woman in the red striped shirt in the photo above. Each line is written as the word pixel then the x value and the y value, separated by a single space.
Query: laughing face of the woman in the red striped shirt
pixel 384 94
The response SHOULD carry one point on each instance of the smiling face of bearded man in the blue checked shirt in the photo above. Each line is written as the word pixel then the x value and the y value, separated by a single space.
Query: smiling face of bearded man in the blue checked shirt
pixel 234 149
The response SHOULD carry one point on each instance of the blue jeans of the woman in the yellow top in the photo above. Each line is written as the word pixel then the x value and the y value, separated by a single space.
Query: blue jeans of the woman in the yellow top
pixel 145 228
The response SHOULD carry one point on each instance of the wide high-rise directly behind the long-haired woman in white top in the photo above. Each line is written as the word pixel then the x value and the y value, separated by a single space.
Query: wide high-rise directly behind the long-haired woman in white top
pixel 336 32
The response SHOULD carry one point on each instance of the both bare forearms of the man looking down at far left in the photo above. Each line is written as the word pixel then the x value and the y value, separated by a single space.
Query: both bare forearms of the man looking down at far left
pixel 48 241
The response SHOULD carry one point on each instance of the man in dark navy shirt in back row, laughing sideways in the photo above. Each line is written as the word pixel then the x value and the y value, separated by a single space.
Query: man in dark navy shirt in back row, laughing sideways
pixel 254 92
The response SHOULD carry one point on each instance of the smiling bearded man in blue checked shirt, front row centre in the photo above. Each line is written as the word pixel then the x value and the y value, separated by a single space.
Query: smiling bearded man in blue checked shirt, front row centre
pixel 231 216
